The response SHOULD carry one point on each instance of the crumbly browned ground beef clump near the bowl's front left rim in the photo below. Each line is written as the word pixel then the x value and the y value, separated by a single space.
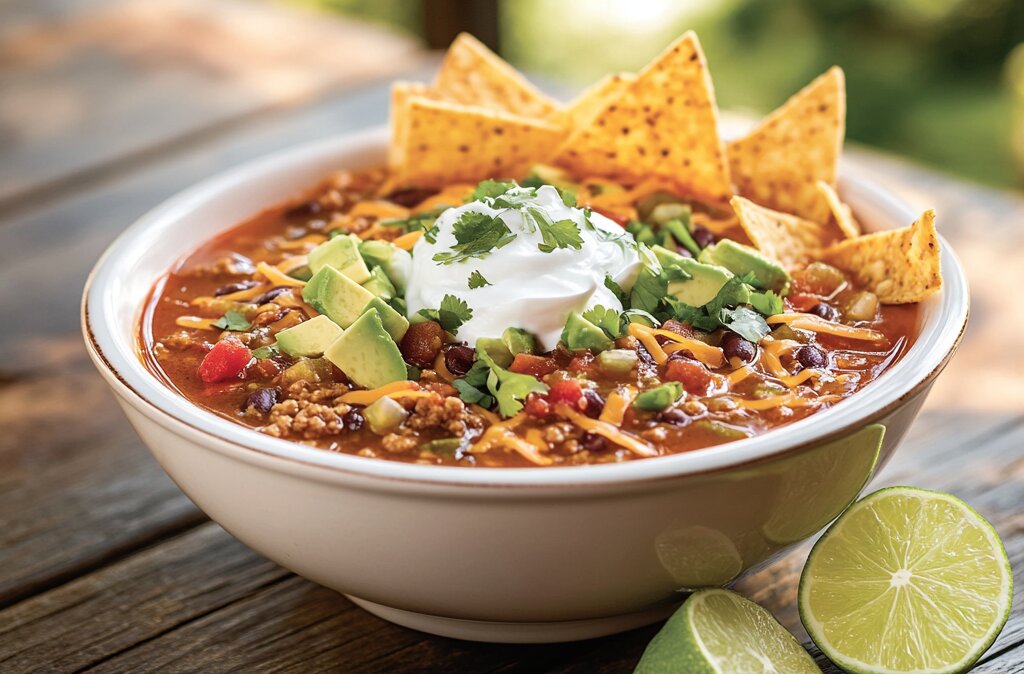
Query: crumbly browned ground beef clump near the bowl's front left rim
pixel 309 413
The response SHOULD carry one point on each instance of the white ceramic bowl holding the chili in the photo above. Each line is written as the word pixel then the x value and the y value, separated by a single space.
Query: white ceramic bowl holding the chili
pixel 497 555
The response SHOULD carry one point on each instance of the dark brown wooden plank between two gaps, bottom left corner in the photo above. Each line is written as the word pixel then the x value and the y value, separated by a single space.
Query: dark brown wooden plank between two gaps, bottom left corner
pixel 149 595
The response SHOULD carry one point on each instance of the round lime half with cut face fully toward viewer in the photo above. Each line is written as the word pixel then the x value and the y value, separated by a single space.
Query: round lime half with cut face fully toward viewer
pixel 907 581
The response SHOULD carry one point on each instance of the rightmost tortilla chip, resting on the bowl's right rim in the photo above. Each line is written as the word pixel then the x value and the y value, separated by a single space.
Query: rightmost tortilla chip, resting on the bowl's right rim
pixel 899 266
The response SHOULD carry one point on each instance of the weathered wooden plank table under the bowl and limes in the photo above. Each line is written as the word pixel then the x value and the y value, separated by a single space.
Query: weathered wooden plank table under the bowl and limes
pixel 105 565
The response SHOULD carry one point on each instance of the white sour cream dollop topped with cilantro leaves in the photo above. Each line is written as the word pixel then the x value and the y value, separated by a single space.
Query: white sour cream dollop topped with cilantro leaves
pixel 531 289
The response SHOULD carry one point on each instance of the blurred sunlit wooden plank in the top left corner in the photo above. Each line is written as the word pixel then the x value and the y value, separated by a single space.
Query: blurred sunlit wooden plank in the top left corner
pixel 92 83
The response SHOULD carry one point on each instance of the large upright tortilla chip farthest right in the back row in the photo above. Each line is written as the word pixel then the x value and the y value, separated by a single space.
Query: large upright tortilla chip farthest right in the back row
pixel 781 162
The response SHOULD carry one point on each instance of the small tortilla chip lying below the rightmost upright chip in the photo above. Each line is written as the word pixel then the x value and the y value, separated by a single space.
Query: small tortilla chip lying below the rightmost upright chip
pixel 791 240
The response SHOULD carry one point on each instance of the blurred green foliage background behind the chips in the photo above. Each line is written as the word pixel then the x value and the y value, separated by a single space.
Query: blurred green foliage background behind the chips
pixel 938 81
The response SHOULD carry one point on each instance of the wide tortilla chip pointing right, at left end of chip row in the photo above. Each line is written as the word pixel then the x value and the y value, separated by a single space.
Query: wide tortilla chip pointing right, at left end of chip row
pixel 445 143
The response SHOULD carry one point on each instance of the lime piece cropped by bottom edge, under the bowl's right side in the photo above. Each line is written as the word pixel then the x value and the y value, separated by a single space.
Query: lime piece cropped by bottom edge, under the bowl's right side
pixel 719 633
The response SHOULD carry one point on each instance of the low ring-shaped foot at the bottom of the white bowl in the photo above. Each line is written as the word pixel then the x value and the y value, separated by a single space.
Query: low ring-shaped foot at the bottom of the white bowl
pixel 499 633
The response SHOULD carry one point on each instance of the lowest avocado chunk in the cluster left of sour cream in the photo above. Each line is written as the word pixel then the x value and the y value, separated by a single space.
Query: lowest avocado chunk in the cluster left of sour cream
pixel 367 354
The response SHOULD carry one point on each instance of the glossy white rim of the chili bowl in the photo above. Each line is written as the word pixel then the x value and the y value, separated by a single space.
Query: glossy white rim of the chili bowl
pixel 126 373
